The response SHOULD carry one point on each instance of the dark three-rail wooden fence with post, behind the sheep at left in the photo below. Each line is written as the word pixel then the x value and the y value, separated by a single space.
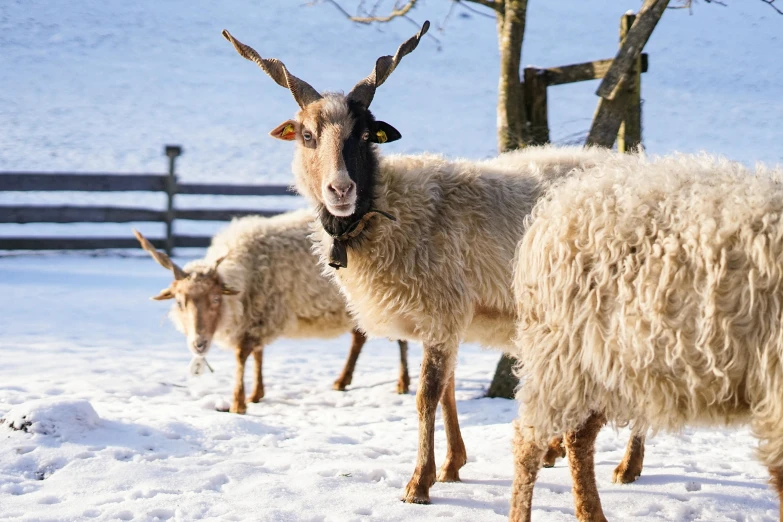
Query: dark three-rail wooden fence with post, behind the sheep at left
pixel 166 183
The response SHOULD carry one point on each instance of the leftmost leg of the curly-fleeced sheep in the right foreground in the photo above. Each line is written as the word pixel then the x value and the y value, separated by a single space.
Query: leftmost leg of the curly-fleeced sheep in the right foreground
pixel 528 456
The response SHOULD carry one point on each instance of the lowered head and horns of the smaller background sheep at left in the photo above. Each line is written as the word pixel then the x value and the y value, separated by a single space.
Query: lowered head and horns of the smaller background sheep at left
pixel 199 298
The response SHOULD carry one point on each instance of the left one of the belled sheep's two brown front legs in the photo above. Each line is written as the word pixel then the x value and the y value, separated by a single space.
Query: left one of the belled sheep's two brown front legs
pixel 436 368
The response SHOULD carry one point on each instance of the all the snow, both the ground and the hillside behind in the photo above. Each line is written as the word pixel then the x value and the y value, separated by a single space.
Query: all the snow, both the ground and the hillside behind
pixel 119 430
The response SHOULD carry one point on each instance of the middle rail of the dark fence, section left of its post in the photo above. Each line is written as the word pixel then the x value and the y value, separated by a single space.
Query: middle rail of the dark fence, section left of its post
pixel 75 214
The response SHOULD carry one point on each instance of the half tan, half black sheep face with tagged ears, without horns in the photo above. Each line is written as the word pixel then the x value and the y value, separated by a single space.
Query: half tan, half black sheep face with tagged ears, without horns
pixel 336 161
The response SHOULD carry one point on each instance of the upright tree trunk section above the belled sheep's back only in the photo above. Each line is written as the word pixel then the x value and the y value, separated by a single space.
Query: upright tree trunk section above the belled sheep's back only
pixel 512 122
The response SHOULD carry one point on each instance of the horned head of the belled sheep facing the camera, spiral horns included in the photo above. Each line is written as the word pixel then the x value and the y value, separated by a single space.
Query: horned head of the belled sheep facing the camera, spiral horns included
pixel 336 161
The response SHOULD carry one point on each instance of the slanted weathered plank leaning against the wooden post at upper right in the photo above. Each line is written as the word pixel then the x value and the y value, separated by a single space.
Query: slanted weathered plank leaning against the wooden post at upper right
pixel 648 17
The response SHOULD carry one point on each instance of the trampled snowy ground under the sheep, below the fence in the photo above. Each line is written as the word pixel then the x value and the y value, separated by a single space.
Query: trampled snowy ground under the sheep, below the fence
pixel 80 334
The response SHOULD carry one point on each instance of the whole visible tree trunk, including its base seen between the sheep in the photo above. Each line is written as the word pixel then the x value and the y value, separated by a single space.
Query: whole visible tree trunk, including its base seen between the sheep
pixel 512 134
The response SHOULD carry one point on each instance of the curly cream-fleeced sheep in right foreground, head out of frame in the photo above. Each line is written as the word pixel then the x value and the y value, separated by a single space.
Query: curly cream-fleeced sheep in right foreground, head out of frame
pixel 649 292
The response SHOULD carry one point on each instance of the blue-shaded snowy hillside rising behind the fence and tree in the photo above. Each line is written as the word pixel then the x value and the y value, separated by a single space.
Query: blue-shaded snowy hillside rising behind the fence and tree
pixel 101 86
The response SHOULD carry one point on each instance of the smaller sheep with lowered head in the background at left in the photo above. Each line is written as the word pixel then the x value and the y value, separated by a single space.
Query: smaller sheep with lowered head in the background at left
pixel 258 282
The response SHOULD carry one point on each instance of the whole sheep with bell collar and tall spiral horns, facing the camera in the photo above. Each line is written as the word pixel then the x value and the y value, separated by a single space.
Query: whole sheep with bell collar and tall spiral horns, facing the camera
pixel 421 246
